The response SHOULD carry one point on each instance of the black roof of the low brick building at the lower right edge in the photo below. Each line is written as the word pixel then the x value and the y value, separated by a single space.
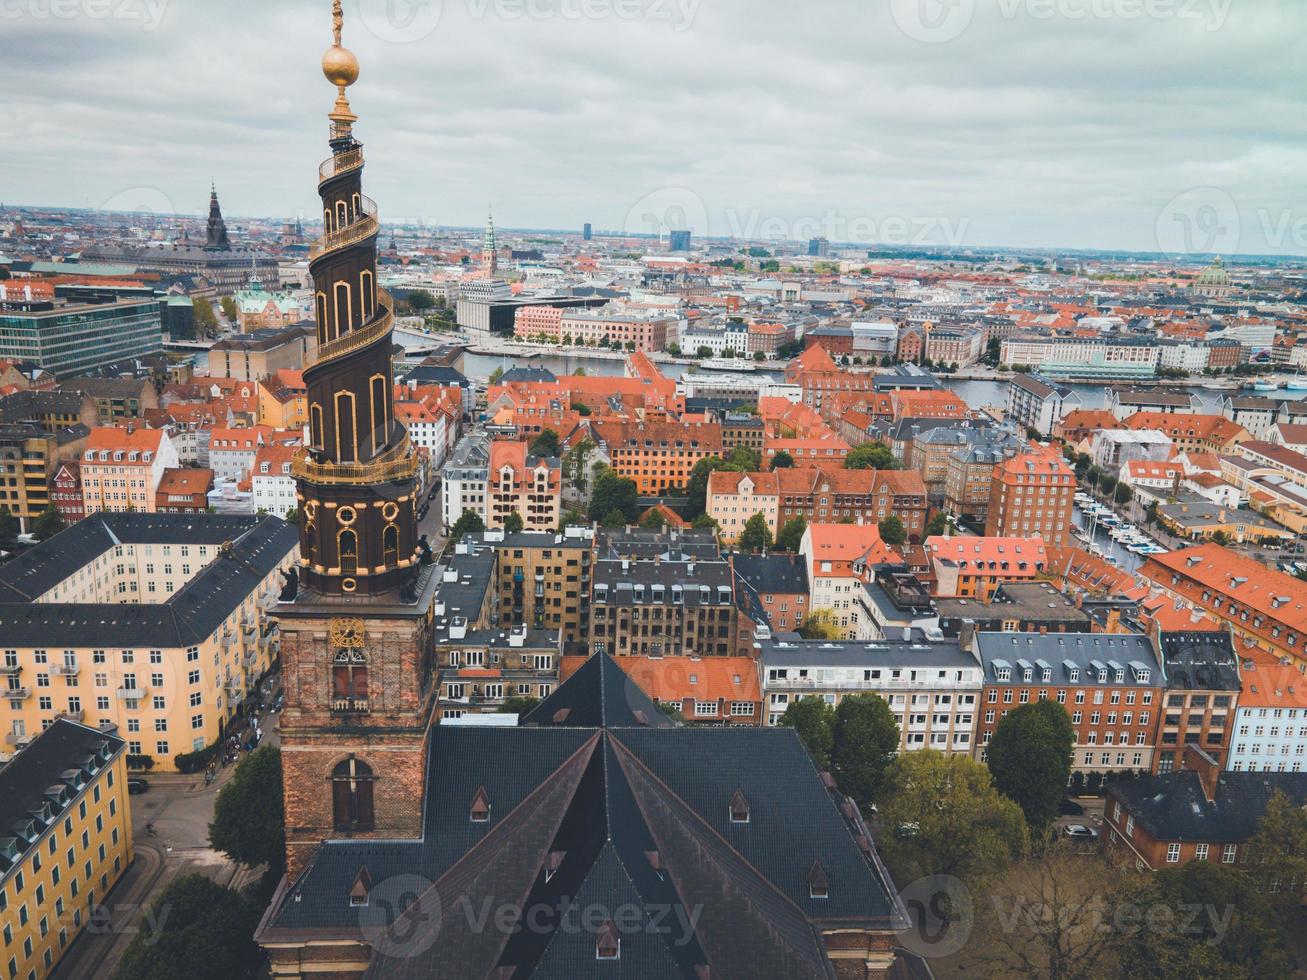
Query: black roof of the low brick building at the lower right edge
pixel 1174 807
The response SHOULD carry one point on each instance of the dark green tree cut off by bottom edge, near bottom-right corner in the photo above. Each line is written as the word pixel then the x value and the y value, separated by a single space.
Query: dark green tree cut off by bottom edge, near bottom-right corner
pixel 1241 941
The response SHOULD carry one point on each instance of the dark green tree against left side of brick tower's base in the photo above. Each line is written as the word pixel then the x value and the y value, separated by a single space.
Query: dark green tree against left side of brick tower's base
pixel 249 823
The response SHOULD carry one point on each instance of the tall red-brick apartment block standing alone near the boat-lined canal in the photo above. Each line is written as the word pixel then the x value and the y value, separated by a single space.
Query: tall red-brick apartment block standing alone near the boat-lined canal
pixel 1032 496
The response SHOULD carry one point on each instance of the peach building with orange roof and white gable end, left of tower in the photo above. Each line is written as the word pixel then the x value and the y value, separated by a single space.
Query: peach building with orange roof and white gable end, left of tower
pixel 122 468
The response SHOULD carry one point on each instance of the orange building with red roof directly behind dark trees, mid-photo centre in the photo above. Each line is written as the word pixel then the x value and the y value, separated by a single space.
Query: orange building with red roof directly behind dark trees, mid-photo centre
pixel 659 457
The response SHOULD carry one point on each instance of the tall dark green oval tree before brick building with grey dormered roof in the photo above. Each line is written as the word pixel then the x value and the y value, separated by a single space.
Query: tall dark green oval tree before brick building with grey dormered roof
pixel 1031 759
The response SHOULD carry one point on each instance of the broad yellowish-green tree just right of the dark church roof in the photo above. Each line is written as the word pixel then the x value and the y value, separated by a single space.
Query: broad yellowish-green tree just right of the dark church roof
pixel 963 825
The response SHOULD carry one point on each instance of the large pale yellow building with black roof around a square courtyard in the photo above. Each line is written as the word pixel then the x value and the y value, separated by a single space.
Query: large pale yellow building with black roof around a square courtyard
pixel 152 623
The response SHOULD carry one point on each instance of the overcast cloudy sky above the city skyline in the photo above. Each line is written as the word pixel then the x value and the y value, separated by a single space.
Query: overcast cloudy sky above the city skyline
pixel 1079 123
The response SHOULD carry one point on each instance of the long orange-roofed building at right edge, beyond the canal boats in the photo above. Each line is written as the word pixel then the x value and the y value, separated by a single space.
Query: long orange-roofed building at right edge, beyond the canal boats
pixel 1263 608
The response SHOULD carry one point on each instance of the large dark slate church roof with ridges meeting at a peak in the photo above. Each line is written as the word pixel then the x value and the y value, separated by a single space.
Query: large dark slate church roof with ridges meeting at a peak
pixel 595 809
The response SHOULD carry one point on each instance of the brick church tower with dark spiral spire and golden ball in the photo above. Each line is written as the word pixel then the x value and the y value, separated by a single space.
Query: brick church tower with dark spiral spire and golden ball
pixel 356 627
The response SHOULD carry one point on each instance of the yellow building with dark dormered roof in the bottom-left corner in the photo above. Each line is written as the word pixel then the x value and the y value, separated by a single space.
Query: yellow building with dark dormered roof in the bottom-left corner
pixel 67 841
